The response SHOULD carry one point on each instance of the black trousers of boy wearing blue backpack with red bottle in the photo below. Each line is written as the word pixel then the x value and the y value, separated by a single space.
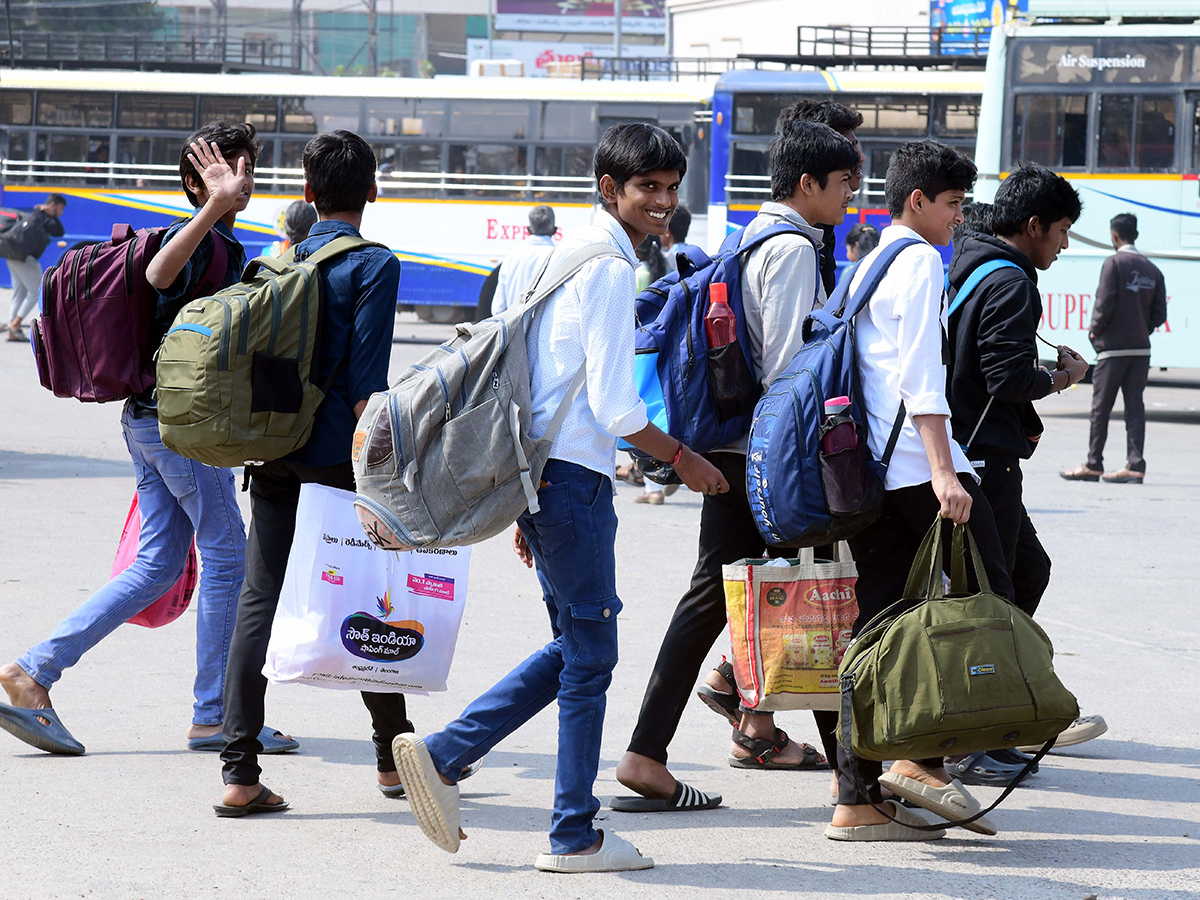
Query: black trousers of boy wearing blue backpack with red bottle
pixel 728 533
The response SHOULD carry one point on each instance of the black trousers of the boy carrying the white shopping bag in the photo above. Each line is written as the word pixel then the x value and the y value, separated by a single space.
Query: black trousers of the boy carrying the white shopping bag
pixel 274 495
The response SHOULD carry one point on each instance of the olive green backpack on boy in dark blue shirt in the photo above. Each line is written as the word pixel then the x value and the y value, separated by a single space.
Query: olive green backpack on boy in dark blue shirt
pixel 235 371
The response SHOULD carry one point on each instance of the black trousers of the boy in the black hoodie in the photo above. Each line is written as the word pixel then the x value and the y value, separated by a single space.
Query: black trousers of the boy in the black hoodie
pixel 1029 566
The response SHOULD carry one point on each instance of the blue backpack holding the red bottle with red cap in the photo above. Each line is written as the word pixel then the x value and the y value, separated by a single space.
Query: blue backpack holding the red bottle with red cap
pixel 703 397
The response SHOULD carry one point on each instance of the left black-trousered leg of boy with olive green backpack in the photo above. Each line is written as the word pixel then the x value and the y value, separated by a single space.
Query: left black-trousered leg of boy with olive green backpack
pixel 274 495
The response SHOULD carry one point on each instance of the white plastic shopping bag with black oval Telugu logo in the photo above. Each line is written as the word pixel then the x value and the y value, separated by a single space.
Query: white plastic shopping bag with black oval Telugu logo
pixel 352 616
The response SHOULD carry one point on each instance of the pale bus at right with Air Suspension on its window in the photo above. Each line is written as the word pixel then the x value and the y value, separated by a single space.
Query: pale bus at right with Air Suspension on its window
pixel 1115 109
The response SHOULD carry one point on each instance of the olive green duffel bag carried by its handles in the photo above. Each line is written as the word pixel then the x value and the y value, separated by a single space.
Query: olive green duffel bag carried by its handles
pixel 953 674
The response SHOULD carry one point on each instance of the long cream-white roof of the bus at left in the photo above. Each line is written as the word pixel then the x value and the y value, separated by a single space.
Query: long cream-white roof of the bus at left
pixel 287 86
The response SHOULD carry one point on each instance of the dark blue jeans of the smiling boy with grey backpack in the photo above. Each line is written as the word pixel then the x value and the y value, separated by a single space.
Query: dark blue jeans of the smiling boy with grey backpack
pixel 573 541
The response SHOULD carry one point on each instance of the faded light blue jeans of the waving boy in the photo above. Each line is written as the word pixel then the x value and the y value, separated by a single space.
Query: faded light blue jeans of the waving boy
pixel 178 499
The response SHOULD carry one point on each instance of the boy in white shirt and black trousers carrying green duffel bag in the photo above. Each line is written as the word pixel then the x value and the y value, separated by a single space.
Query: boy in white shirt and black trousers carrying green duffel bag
pixel 903 351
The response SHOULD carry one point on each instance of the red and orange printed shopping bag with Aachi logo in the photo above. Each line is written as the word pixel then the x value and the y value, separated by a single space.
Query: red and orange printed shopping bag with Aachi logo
pixel 790 623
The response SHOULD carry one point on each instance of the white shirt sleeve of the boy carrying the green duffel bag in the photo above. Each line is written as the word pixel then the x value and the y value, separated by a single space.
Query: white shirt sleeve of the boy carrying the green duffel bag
pixel 920 337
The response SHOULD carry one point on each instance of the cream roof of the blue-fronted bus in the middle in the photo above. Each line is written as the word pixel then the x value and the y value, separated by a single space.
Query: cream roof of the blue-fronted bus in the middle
pixel 850 82
